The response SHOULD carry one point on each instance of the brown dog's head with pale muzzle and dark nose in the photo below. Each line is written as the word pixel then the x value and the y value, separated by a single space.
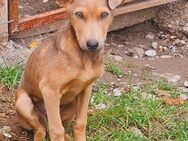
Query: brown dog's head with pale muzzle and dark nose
pixel 90 20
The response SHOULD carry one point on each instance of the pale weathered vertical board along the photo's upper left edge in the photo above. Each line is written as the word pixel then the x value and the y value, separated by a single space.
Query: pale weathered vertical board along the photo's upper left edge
pixel 3 21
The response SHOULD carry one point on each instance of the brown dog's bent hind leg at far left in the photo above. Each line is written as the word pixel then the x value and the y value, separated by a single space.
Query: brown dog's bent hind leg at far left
pixel 27 116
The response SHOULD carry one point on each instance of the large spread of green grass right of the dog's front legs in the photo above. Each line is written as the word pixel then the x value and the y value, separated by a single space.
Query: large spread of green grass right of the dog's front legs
pixel 156 120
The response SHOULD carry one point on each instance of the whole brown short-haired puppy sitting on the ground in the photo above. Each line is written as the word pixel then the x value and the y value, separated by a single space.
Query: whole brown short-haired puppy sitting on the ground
pixel 59 74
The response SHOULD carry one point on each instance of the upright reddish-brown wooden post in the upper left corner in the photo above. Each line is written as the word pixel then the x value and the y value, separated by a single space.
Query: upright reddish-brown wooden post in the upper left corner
pixel 12 15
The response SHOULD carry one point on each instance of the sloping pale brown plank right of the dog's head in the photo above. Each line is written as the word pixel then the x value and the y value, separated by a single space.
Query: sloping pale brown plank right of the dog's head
pixel 140 5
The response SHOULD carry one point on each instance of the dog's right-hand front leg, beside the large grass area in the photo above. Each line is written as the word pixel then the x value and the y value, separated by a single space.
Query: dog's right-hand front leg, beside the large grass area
pixel 82 101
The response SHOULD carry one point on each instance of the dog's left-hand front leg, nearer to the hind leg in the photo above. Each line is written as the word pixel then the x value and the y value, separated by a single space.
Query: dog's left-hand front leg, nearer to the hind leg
pixel 52 105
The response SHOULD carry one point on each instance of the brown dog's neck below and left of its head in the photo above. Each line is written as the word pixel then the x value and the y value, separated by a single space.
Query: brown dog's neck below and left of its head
pixel 66 42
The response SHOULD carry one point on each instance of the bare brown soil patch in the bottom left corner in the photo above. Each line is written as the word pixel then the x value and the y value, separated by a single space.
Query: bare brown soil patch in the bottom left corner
pixel 9 128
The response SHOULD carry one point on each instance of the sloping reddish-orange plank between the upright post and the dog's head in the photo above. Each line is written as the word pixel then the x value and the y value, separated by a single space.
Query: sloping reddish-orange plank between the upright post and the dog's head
pixel 42 19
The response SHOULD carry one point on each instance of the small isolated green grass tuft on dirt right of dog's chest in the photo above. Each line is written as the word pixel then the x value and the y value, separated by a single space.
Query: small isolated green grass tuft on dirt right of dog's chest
pixel 113 68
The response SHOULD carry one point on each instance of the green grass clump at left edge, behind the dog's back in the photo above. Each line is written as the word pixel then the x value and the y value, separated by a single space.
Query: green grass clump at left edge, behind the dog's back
pixel 10 75
